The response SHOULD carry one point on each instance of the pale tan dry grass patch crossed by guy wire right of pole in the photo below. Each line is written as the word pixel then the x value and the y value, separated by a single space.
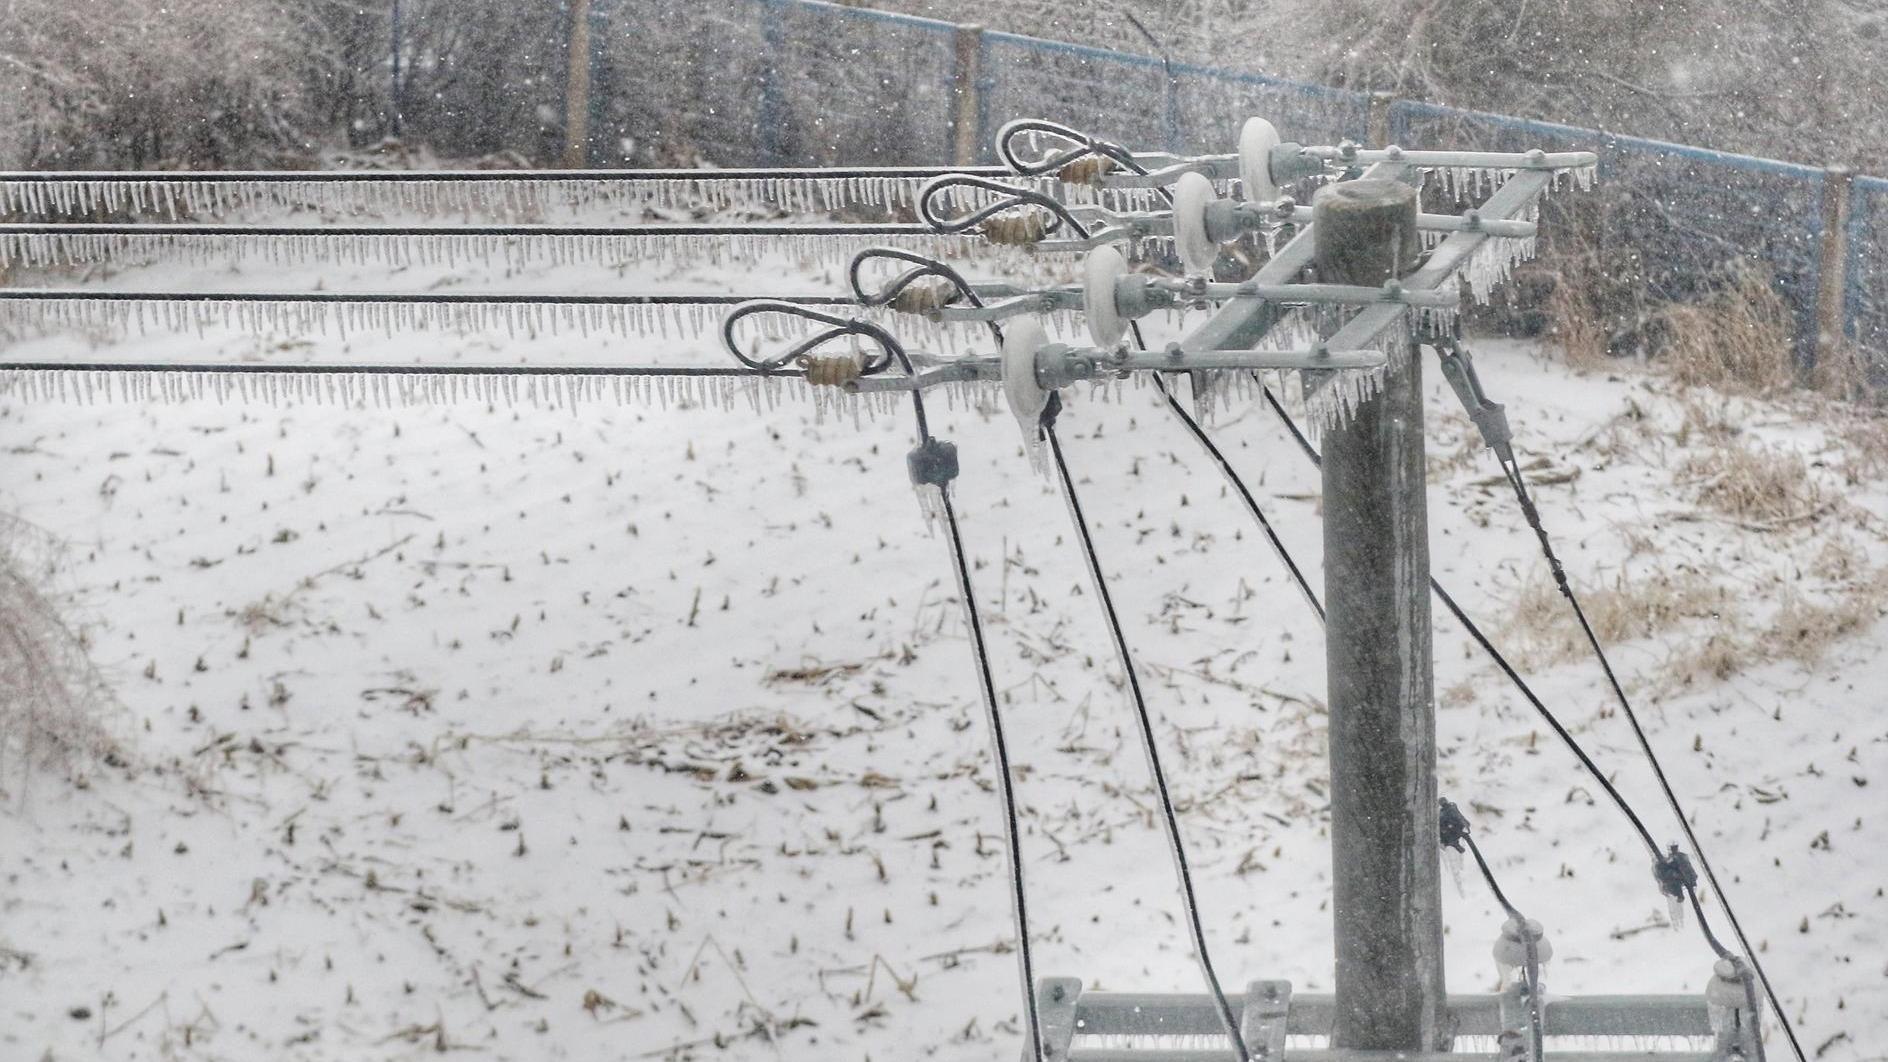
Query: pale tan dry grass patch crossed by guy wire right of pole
pixel 1545 632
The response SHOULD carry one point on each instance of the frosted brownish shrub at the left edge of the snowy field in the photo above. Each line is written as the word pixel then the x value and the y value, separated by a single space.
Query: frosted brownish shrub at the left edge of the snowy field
pixel 52 700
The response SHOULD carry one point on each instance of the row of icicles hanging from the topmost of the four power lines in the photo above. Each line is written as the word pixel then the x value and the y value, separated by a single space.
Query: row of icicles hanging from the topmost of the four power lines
pixel 496 194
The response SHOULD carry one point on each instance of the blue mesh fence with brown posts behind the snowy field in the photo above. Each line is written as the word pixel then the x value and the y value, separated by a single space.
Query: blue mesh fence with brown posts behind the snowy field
pixel 809 82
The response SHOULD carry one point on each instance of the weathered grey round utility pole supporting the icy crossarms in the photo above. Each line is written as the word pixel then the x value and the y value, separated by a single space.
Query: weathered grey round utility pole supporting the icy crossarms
pixel 1385 834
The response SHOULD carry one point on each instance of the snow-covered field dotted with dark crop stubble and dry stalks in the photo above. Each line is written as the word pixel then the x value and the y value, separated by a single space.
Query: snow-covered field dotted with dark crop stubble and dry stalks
pixel 647 732
